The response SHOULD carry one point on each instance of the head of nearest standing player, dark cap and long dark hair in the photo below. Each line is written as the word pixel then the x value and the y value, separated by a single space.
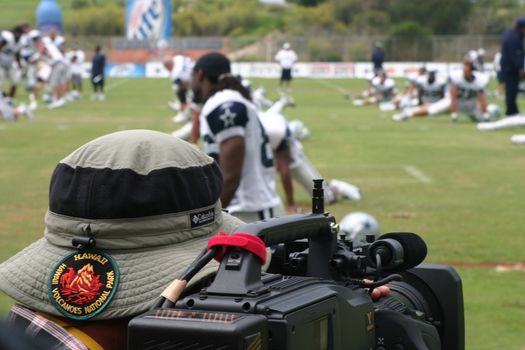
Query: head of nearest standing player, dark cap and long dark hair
pixel 211 74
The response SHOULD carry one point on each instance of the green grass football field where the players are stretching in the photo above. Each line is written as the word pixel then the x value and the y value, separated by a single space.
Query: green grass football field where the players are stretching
pixel 468 206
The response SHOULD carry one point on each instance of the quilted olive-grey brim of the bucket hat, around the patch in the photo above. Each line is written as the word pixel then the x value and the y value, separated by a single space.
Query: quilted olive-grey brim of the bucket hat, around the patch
pixel 143 273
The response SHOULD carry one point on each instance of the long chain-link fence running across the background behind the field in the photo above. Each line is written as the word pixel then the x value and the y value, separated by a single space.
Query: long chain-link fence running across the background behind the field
pixel 322 48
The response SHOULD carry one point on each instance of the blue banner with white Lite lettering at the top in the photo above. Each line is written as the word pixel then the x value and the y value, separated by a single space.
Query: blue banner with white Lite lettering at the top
pixel 148 19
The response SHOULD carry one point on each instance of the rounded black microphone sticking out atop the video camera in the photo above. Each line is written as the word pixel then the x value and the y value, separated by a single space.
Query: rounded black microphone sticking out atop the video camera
pixel 399 251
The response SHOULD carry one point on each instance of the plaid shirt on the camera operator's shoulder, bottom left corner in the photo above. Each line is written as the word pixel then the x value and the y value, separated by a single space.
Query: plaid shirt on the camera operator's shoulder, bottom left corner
pixel 44 330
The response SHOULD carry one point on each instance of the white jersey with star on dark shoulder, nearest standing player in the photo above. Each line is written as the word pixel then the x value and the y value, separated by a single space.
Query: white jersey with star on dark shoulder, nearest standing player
pixel 227 114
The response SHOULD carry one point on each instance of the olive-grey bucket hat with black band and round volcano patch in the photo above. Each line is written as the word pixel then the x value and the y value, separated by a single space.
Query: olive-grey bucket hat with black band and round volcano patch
pixel 128 212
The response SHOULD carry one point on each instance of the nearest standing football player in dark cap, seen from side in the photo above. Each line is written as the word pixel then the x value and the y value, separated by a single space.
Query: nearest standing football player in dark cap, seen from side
pixel 232 134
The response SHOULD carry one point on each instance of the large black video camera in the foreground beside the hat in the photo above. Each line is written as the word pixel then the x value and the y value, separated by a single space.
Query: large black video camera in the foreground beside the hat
pixel 314 294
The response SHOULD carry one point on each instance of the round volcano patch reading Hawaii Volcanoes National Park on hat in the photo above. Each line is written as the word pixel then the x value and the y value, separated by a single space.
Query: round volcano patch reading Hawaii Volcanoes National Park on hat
pixel 83 283
